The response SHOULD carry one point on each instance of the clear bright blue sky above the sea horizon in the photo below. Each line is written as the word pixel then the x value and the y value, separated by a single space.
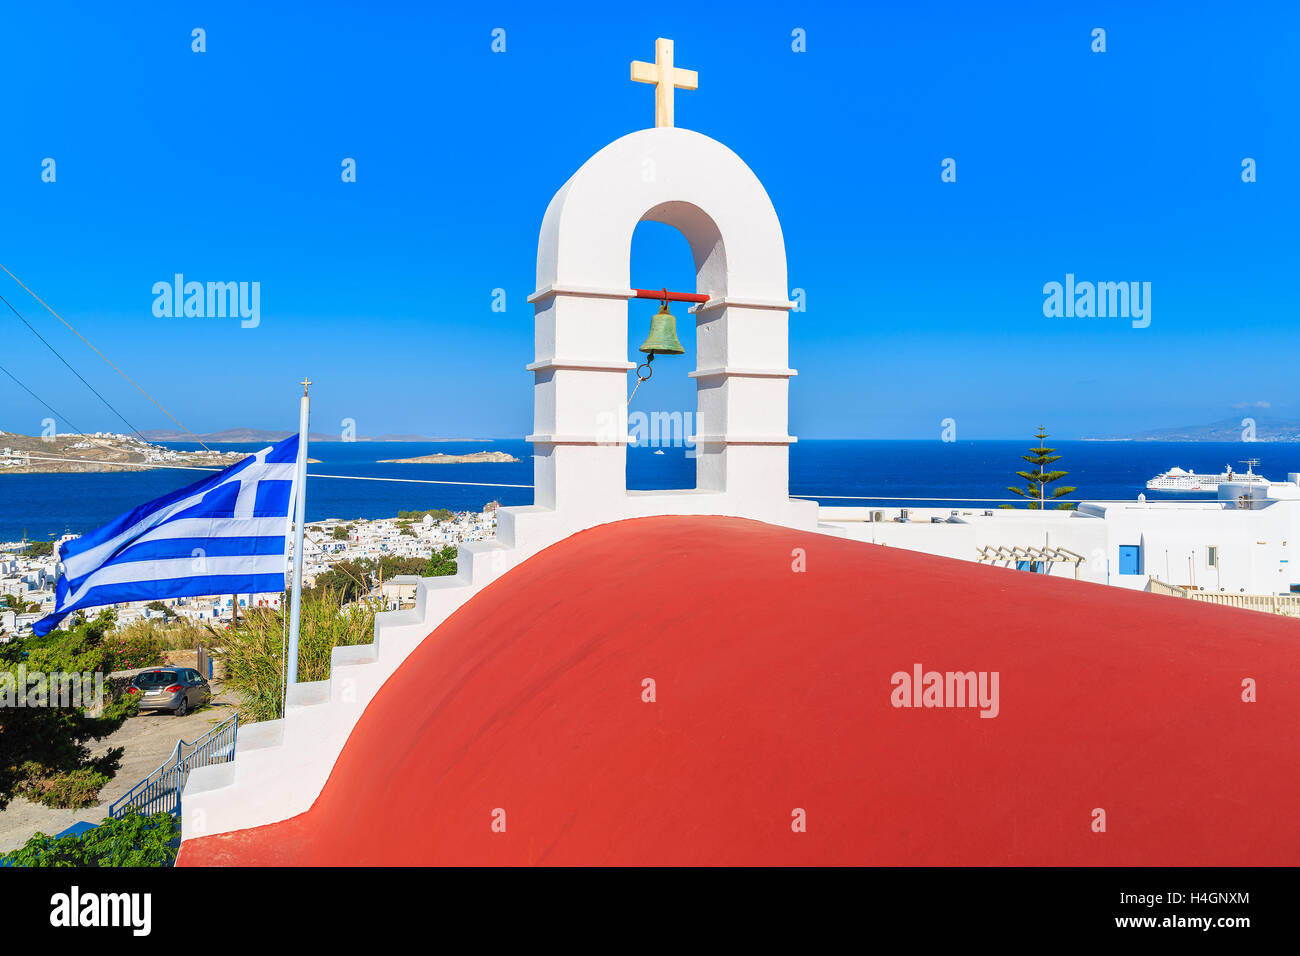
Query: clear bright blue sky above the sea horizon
pixel 925 300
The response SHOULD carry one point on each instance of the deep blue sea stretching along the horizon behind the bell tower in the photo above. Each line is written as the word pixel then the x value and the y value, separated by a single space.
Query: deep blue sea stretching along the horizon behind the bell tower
pixel 44 505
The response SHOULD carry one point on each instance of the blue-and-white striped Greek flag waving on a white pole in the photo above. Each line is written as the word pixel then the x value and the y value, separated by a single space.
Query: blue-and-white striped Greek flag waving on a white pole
pixel 224 535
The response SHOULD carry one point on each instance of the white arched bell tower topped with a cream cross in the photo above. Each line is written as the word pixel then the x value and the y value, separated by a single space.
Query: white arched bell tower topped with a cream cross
pixel 580 399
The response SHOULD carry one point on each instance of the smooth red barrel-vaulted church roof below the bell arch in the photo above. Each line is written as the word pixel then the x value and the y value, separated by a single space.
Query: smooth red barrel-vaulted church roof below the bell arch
pixel 773 695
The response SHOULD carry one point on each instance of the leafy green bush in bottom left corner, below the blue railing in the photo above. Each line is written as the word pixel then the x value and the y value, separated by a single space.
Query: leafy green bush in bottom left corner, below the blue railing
pixel 133 841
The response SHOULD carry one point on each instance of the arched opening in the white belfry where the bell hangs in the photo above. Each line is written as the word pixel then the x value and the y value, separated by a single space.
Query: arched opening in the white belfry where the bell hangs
pixel 662 412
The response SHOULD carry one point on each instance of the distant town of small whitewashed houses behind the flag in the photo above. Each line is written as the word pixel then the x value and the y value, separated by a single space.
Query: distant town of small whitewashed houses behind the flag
pixel 28 581
